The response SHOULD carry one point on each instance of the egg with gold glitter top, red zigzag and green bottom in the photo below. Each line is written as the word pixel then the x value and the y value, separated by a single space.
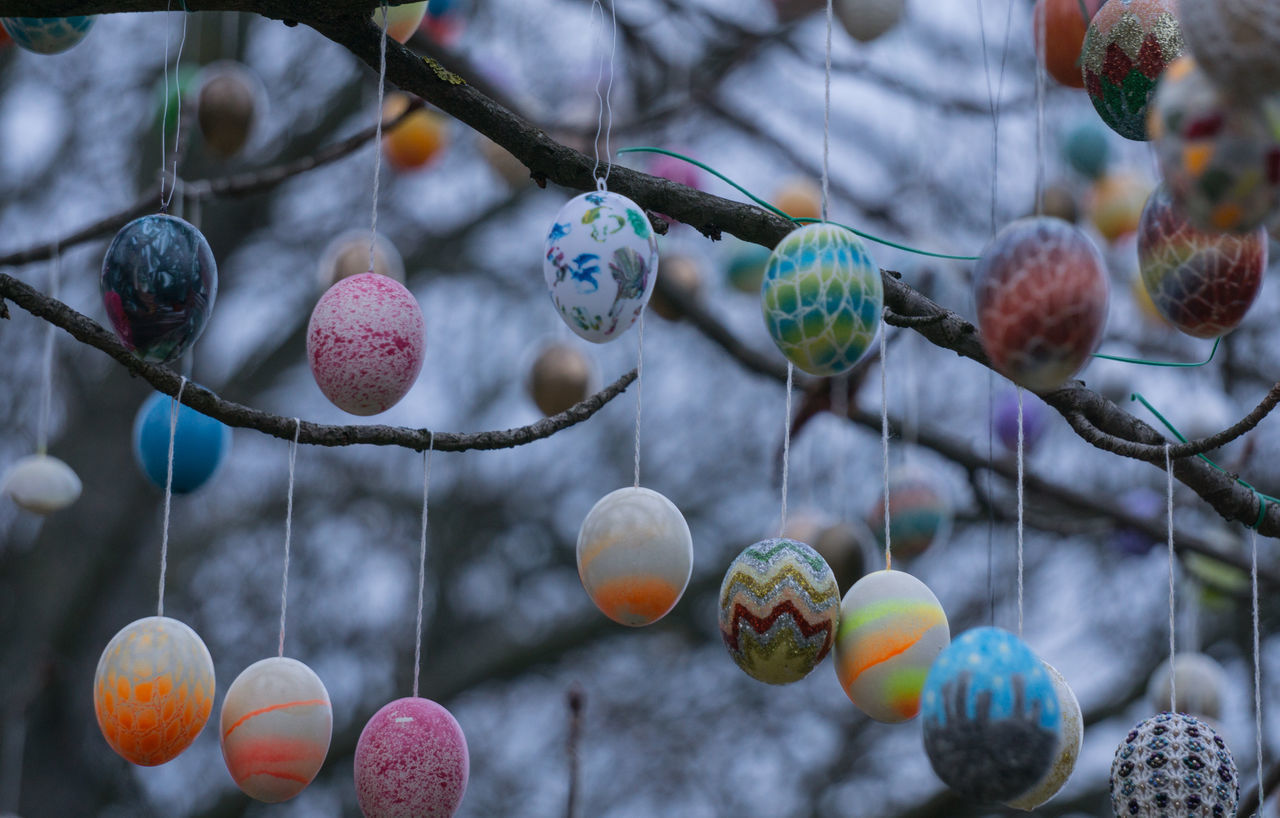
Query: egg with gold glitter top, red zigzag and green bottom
pixel 1127 49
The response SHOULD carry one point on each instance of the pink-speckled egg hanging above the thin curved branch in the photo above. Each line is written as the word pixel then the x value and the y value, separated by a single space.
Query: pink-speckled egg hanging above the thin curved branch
pixel 365 342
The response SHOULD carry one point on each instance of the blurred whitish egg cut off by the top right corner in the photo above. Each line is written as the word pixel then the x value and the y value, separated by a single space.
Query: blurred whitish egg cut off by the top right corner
pixel 1236 43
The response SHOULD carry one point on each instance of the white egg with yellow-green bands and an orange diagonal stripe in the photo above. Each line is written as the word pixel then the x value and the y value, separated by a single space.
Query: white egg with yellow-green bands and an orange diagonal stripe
pixel 892 630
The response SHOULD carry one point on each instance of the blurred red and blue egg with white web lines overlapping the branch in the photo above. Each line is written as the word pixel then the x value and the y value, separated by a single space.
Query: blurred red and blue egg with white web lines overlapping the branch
pixel 1043 293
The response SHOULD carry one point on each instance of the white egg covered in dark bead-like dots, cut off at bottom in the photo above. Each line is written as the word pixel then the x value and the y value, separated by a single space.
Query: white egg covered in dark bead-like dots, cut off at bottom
pixel 1174 765
